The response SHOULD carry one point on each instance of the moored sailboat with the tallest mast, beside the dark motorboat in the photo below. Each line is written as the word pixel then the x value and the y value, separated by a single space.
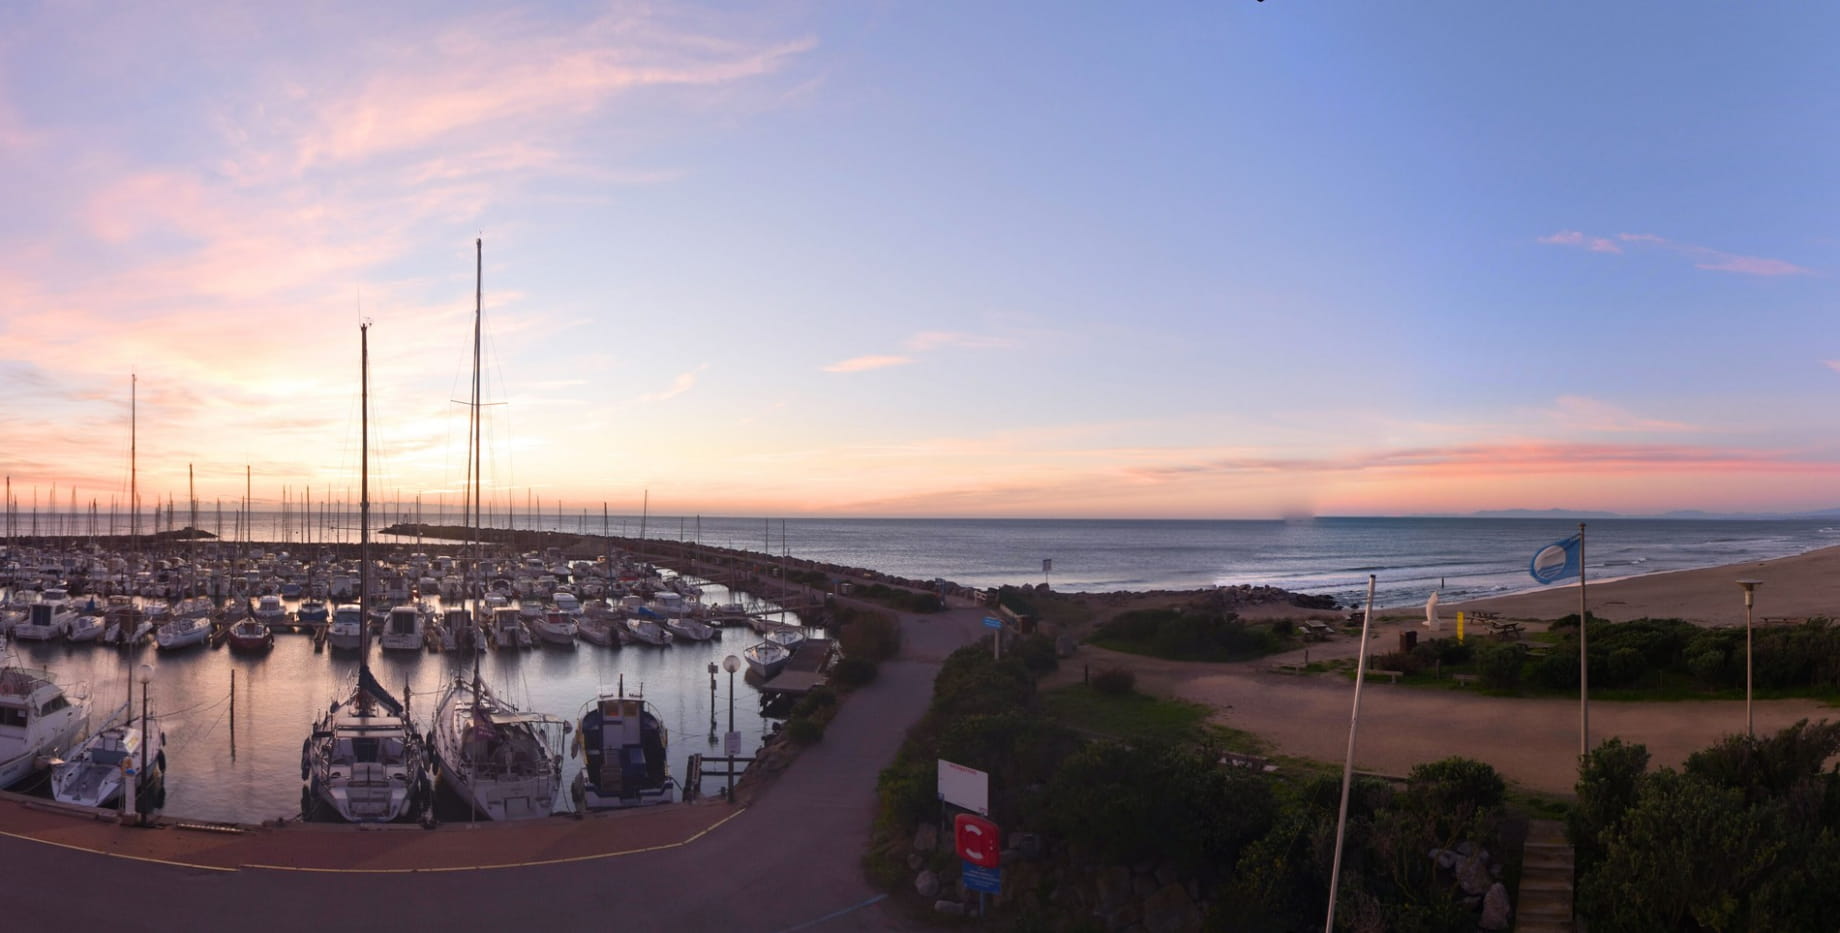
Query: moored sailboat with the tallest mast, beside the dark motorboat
pixel 501 761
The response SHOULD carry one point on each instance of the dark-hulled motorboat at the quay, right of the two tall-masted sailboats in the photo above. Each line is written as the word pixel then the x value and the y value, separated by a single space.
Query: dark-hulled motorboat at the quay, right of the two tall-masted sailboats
pixel 623 744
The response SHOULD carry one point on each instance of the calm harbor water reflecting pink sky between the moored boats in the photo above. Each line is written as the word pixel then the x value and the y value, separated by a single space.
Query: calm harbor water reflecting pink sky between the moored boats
pixel 255 774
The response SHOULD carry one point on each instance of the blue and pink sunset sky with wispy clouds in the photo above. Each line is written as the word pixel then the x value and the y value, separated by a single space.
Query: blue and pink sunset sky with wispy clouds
pixel 934 259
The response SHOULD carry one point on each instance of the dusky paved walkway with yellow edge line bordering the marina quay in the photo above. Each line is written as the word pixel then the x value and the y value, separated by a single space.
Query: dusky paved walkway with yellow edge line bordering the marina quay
pixel 790 860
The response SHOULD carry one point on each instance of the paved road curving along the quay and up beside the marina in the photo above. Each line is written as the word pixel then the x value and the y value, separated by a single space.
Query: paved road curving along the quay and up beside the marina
pixel 790 862
